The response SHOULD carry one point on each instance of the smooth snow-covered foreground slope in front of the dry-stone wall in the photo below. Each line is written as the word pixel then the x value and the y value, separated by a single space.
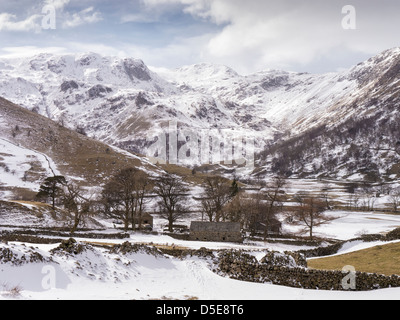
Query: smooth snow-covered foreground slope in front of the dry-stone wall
pixel 99 275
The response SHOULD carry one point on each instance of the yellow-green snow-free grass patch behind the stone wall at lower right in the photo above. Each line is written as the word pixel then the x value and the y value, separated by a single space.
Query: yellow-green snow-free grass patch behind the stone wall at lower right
pixel 383 259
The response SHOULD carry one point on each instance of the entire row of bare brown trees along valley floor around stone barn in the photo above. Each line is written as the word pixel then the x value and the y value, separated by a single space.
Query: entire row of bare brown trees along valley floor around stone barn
pixel 125 197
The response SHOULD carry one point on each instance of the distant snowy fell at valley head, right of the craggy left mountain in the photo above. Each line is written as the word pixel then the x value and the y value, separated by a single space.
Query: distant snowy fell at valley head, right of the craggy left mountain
pixel 276 97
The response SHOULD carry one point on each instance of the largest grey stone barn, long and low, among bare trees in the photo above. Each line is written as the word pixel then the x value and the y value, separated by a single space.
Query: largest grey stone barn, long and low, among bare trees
pixel 216 231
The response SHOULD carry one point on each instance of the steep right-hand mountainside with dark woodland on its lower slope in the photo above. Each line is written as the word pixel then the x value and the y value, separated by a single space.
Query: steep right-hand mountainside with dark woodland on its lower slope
pixel 359 140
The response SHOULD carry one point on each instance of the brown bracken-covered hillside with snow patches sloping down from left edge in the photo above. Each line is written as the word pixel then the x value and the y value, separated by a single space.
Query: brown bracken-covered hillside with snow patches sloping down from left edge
pixel 32 148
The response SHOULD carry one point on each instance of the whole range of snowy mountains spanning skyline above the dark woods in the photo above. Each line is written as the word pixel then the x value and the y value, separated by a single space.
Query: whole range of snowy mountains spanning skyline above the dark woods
pixel 122 102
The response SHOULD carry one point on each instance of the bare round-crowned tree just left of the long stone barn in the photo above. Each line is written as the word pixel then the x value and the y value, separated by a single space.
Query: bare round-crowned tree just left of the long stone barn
pixel 172 192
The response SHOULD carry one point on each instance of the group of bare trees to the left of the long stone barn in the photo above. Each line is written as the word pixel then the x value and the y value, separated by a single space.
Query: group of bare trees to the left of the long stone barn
pixel 124 198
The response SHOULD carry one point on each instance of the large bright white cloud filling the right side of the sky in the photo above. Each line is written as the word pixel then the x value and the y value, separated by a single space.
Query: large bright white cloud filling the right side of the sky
pixel 288 34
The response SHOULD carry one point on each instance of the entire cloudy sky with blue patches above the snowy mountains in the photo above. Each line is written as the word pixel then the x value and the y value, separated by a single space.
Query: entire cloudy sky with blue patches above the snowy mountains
pixel 249 36
